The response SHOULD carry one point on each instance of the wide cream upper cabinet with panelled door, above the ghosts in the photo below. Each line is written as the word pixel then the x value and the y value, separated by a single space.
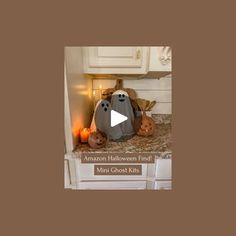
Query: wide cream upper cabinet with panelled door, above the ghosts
pixel 119 60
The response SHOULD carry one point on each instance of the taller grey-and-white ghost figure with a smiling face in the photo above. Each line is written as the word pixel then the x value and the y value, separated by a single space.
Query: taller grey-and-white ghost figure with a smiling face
pixel 120 102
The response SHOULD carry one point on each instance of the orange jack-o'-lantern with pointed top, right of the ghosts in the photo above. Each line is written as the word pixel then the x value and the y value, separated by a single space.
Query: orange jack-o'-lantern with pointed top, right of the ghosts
pixel 147 126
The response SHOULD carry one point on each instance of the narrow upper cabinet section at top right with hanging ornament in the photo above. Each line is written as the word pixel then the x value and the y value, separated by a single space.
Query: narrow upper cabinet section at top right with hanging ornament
pixel 160 59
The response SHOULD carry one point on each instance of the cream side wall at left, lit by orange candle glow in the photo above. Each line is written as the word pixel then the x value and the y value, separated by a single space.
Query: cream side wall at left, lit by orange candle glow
pixel 79 96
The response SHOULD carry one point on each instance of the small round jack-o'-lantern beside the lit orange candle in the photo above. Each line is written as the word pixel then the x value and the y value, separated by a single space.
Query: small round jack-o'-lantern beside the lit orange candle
pixel 97 139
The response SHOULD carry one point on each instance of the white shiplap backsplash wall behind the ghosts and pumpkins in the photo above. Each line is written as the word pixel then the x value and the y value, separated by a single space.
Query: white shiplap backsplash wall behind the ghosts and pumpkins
pixel 150 89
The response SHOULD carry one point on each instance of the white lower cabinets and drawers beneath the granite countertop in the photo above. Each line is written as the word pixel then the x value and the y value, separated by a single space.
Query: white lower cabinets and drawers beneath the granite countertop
pixel 79 175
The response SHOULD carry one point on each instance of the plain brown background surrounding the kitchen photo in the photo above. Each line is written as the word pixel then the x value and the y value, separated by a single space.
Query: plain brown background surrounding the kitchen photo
pixel 33 35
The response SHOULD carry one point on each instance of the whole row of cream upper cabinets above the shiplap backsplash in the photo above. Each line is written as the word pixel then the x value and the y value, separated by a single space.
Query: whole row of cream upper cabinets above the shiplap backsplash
pixel 126 60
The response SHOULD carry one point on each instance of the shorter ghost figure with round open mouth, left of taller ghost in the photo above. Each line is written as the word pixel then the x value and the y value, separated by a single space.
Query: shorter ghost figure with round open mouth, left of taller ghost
pixel 102 120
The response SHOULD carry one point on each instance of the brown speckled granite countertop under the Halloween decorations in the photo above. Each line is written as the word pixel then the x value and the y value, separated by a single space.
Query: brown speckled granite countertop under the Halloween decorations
pixel 160 142
